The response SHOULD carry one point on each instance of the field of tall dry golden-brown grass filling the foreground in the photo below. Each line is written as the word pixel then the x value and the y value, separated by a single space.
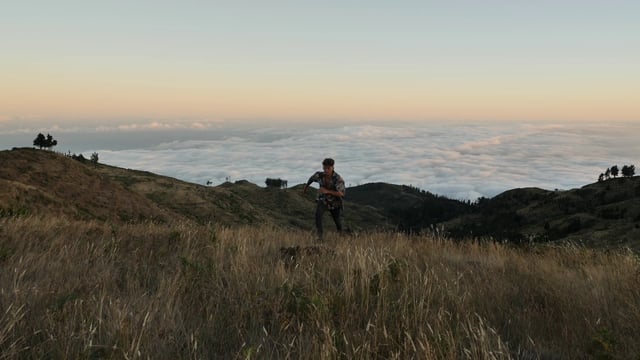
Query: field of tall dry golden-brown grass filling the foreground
pixel 71 289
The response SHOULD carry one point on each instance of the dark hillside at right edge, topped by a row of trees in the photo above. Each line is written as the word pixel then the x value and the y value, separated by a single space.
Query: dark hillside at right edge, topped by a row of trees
pixel 602 214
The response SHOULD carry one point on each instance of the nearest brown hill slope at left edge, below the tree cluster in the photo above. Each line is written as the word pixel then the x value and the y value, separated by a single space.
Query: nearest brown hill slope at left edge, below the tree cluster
pixel 43 182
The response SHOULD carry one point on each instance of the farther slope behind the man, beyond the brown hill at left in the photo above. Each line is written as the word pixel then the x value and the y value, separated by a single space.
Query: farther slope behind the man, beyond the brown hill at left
pixel 232 203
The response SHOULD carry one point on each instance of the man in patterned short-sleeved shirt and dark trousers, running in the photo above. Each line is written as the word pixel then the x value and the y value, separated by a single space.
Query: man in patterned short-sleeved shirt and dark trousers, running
pixel 330 195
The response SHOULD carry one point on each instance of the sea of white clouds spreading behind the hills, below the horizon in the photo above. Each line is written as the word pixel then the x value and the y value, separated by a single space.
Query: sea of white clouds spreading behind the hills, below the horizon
pixel 461 161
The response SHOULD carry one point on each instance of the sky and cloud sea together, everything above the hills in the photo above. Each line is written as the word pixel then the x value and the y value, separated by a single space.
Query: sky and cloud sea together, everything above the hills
pixel 461 98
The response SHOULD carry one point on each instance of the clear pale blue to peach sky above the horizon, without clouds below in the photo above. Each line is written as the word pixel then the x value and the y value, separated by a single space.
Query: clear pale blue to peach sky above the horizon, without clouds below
pixel 108 61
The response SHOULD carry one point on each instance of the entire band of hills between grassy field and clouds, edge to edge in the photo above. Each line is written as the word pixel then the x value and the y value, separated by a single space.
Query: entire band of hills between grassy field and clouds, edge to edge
pixel 45 183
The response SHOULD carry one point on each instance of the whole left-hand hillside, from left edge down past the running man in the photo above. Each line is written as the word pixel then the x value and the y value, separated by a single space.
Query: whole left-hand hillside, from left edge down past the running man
pixel 43 182
